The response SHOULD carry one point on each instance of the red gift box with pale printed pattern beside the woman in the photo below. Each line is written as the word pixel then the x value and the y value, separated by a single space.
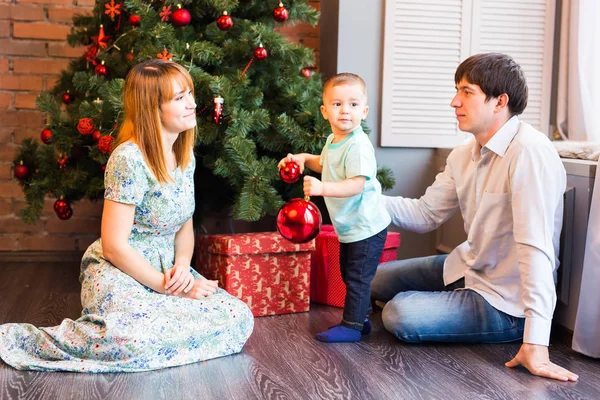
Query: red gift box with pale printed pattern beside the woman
pixel 266 271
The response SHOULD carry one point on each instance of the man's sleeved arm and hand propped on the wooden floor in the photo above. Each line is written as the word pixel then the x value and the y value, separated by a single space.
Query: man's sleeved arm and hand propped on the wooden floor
pixel 538 182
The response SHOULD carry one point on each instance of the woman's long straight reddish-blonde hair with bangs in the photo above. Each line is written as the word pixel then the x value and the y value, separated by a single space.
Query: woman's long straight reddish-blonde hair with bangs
pixel 147 86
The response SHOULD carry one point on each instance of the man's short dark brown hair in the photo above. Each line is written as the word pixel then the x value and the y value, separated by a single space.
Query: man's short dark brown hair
pixel 495 74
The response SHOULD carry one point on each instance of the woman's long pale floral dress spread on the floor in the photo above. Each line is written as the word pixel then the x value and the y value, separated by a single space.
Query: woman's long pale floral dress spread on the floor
pixel 125 326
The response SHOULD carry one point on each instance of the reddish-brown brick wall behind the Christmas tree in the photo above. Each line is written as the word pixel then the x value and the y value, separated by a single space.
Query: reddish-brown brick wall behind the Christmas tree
pixel 33 51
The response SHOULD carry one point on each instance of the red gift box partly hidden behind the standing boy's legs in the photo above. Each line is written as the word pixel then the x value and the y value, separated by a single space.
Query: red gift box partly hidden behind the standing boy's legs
pixel 326 285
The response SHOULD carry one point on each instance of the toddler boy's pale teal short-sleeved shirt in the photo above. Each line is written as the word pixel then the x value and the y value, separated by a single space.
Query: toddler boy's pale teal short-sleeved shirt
pixel 362 215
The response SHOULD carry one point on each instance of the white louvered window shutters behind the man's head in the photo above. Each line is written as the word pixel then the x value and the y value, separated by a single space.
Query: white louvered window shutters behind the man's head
pixel 425 40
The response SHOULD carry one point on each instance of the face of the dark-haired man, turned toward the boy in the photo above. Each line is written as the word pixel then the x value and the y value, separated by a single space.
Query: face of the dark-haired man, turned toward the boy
pixel 474 114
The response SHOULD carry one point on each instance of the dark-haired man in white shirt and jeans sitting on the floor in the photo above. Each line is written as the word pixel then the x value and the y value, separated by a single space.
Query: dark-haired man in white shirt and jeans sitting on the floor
pixel 508 182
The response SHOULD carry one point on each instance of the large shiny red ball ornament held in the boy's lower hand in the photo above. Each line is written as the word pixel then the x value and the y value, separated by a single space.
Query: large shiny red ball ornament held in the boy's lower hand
pixel 299 220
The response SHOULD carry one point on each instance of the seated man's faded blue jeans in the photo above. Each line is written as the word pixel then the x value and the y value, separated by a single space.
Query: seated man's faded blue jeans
pixel 420 308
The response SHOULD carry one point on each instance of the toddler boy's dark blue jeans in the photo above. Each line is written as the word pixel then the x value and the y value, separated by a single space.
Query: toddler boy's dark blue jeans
pixel 358 263
